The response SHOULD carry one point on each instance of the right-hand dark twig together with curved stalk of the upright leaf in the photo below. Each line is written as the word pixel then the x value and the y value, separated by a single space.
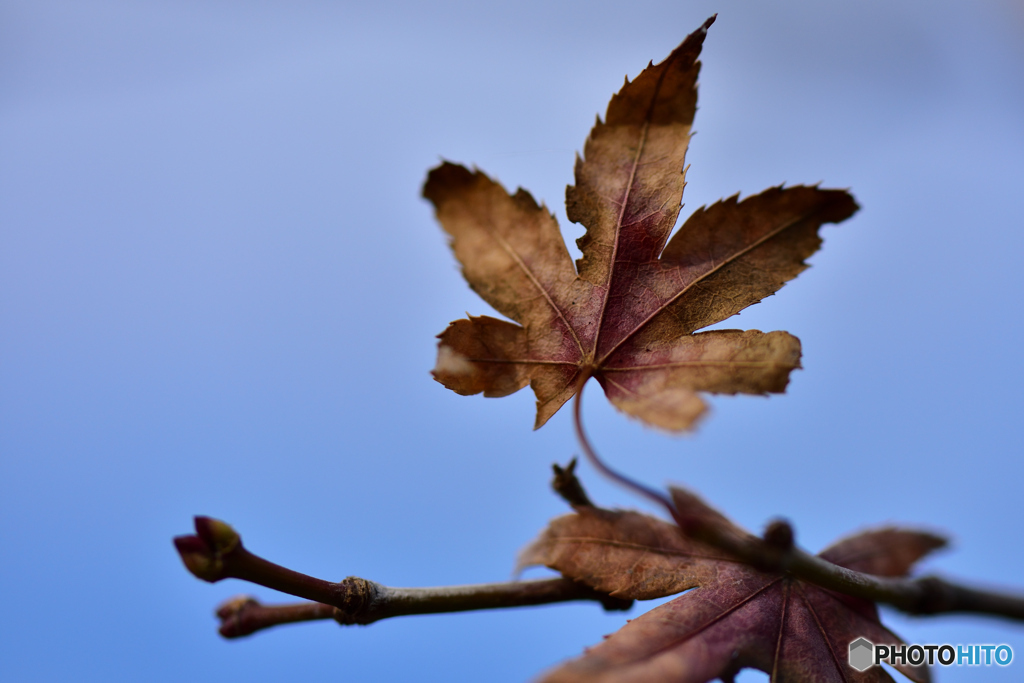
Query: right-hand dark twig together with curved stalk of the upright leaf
pixel 926 595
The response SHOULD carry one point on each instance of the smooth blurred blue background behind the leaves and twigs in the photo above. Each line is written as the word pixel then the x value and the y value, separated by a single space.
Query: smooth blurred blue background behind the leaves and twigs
pixel 220 290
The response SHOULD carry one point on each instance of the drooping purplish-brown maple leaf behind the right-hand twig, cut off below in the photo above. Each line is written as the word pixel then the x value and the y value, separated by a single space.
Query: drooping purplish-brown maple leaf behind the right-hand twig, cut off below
pixel 736 617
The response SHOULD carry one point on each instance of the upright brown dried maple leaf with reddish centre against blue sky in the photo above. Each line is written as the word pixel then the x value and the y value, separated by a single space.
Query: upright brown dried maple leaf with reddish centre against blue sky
pixel 628 313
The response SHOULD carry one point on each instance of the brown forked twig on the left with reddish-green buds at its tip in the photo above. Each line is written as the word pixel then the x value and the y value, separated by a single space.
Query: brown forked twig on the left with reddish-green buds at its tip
pixel 217 553
